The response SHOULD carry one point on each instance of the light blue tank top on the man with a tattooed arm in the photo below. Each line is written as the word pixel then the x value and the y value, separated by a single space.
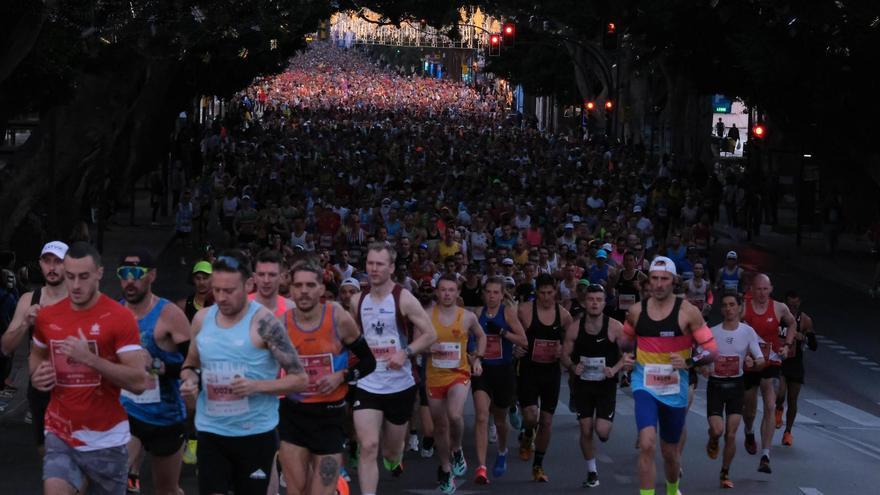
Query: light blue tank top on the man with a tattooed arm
pixel 227 353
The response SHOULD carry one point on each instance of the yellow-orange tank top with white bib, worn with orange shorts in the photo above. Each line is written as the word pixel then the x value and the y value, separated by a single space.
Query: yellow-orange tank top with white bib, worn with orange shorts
pixel 448 359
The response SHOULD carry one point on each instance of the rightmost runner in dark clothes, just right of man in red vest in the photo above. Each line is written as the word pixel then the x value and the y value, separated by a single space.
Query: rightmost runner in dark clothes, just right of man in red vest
pixel 793 368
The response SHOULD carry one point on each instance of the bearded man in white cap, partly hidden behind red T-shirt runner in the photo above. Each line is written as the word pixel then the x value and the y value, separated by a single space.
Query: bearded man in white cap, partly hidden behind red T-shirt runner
pixel 22 324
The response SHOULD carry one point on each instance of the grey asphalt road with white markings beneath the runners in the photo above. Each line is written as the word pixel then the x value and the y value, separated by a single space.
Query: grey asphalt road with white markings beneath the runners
pixel 836 440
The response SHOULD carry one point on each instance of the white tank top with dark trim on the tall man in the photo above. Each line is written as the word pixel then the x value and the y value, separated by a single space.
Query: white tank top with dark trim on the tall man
pixel 379 322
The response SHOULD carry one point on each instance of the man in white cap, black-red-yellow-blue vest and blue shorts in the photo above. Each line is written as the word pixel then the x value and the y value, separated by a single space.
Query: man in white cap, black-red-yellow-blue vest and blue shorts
pixel 663 328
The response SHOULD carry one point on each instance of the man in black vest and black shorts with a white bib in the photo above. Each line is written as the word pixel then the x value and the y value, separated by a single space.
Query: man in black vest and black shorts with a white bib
pixel 590 353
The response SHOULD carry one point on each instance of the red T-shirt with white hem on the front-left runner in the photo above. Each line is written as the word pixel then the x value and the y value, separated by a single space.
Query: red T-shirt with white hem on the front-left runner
pixel 84 409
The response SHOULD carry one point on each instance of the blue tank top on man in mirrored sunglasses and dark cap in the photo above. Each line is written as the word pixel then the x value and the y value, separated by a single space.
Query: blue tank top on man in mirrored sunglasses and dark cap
pixel 161 403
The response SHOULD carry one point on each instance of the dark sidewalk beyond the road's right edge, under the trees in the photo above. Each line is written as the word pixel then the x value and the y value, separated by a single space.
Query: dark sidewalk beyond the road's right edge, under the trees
pixel 852 266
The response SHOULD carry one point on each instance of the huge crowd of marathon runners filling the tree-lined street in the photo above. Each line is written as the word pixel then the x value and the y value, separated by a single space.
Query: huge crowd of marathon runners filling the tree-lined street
pixel 392 246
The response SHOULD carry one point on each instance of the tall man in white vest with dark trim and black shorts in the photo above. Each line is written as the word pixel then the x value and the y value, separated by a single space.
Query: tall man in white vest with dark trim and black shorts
pixel 384 399
